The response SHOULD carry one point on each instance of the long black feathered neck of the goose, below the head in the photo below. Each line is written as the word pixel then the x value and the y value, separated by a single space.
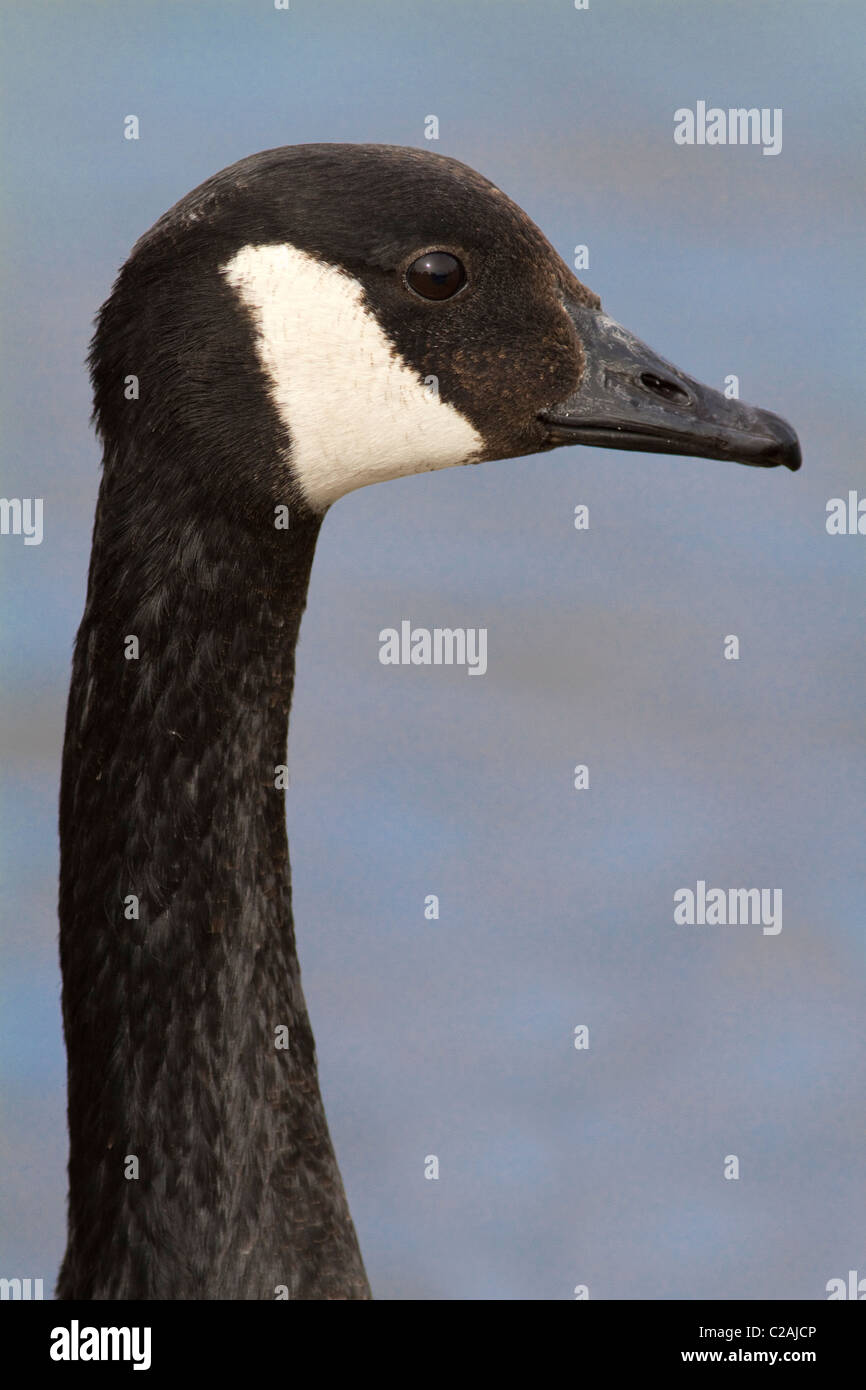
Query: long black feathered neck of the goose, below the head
pixel 201 1164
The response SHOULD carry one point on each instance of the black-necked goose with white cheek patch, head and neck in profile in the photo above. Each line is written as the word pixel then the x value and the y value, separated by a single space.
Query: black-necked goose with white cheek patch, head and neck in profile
pixel 308 322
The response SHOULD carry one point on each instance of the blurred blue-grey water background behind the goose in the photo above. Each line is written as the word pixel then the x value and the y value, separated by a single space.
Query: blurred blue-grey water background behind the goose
pixel 455 1038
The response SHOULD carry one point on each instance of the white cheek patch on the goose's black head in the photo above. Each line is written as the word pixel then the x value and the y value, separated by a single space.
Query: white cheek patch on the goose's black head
pixel 355 412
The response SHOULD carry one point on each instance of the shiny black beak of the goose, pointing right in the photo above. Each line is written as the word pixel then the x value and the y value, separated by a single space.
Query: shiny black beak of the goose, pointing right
pixel 632 400
